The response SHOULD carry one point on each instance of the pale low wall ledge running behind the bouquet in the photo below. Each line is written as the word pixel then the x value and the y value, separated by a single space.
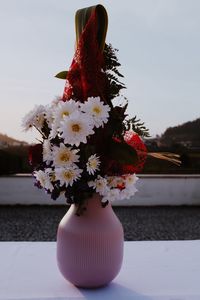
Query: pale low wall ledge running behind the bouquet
pixel 152 190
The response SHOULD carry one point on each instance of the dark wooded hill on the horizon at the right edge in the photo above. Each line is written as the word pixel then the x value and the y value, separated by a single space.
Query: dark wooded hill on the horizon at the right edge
pixel 187 134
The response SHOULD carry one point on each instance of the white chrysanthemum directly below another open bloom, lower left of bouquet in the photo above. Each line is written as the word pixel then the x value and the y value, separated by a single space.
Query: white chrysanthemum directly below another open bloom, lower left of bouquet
pixel 67 176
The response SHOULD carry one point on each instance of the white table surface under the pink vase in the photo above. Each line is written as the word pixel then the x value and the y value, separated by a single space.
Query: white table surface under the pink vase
pixel 156 270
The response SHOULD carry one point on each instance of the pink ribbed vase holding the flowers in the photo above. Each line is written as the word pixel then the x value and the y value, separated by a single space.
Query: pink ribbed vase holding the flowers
pixel 90 247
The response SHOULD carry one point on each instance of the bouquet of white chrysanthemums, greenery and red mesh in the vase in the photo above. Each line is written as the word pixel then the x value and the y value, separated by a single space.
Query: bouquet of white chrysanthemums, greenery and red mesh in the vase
pixel 88 144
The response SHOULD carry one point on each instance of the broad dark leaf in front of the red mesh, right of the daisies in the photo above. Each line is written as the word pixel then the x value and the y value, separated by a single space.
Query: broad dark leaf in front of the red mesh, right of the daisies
pixel 122 152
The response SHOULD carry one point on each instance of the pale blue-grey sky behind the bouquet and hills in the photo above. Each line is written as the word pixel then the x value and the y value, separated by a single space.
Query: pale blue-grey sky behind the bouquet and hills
pixel 159 50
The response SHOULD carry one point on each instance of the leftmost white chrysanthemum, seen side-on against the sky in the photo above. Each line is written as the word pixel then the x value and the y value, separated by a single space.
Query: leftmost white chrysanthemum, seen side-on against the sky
pixel 35 118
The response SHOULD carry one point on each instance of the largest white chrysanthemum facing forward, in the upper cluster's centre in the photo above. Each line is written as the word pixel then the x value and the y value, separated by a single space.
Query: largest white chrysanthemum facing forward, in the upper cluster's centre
pixel 76 128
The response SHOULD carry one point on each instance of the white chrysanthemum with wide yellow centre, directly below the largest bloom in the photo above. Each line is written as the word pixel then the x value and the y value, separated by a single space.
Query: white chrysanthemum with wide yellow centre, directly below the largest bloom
pixel 64 156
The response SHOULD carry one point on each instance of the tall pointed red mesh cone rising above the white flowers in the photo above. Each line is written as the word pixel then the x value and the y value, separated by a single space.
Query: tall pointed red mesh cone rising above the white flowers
pixel 85 78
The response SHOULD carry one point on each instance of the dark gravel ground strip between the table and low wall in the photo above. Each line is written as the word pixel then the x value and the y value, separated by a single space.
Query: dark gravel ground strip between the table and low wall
pixel 39 223
